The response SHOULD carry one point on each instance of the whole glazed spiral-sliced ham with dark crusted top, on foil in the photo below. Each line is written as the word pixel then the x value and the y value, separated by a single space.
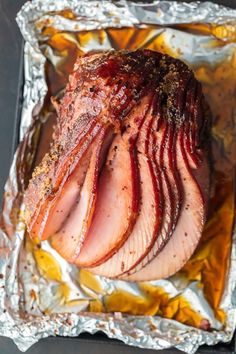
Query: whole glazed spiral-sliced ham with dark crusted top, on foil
pixel 123 190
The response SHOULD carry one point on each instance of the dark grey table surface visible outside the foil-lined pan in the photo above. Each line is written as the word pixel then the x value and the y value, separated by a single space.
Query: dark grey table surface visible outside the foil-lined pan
pixel 11 56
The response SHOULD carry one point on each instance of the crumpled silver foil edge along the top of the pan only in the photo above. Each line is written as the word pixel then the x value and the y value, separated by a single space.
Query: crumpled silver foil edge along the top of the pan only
pixel 124 13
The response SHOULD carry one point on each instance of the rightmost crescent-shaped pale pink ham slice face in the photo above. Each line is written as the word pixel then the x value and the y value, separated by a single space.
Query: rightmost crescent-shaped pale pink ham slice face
pixel 187 232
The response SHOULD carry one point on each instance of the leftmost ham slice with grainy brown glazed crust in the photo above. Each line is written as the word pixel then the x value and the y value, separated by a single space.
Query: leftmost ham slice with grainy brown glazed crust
pixel 40 212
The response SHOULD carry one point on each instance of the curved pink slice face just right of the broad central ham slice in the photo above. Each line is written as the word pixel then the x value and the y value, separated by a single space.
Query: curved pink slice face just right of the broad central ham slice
pixel 148 220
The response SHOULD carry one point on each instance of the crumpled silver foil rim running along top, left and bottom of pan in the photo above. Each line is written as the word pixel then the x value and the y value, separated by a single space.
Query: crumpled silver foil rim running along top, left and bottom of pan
pixel 141 331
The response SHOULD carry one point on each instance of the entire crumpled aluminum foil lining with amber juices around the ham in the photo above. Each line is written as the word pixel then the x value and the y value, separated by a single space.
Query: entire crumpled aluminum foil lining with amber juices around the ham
pixel 40 293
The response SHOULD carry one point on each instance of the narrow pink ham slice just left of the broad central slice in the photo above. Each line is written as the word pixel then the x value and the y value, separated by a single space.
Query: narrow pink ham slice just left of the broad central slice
pixel 71 235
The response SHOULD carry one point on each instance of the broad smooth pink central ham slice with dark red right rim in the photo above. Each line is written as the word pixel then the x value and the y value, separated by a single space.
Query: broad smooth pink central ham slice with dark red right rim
pixel 119 187
